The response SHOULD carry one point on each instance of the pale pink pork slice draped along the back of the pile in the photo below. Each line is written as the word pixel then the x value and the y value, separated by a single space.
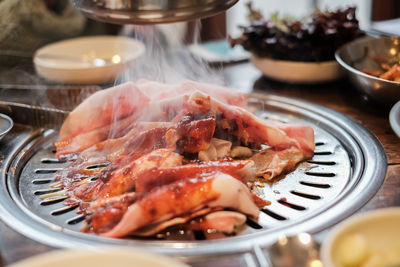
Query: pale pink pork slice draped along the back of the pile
pixel 108 106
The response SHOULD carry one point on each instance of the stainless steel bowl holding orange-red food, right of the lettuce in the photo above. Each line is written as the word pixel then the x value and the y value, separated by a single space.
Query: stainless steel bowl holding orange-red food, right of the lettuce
pixel 360 54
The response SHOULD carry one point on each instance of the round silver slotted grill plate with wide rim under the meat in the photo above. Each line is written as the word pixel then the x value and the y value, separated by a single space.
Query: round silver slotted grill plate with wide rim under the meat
pixel 348 168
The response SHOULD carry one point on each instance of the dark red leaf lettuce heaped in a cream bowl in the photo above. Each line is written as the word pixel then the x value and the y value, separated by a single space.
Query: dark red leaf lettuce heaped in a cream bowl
pixel 313 39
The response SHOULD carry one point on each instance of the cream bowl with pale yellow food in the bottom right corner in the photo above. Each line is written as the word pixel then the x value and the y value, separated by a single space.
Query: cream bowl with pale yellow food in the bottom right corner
pixel 380 232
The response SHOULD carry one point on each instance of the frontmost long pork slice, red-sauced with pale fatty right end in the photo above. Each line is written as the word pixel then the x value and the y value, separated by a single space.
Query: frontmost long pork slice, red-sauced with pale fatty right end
pixel 182 197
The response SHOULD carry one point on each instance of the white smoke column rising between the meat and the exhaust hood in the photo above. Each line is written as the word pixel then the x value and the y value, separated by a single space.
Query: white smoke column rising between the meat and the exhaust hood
pixel 167 57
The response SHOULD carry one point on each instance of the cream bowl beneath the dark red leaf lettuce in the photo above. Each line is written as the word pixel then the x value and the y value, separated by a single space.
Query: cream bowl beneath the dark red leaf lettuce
pixel 298 72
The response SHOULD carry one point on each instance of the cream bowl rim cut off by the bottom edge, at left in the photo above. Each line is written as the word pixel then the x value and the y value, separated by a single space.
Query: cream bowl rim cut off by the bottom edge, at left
pixel 100 257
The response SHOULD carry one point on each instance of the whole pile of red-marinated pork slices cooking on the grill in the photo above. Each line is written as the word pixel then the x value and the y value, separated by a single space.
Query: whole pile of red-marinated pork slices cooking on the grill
pixel 145 156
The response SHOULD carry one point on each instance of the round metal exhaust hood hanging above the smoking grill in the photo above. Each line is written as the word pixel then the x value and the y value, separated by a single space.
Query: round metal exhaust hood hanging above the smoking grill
pixel 150 11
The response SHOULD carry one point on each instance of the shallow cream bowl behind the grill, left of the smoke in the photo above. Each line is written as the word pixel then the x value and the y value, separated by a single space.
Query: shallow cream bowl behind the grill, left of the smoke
pixel 87 60
